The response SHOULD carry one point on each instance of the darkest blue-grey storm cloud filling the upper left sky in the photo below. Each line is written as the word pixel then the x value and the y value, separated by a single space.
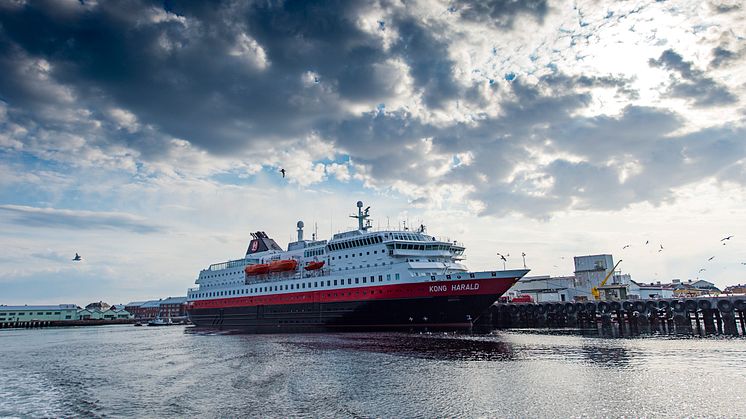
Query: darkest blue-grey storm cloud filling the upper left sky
pixel 182 75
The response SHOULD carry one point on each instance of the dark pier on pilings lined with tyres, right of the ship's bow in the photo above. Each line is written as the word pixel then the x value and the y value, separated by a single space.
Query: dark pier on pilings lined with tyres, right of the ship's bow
pixel 702 316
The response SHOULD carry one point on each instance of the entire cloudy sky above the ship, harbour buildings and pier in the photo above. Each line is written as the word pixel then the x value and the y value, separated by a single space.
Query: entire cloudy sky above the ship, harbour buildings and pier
pixel 148 136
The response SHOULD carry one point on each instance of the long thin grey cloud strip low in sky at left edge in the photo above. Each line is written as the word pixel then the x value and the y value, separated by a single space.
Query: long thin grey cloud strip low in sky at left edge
pixel 78 220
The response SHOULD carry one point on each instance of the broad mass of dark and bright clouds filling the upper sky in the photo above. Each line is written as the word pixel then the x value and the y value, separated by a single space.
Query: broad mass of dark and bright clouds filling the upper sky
pixel 499 105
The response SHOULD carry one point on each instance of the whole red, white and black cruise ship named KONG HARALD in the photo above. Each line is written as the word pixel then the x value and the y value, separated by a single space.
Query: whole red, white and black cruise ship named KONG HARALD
pixel 359 280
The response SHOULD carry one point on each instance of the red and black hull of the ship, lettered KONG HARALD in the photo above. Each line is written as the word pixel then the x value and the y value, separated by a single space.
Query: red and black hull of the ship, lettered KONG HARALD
pixel 437 305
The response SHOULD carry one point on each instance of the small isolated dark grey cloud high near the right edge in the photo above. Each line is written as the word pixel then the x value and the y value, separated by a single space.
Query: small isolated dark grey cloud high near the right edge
pixel 695 85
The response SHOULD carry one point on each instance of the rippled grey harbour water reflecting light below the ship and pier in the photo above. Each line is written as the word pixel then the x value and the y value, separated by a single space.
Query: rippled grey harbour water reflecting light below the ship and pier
pixel 159 372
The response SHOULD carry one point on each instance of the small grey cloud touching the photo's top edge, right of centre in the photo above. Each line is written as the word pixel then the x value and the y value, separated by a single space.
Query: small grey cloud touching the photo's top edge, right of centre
pixel 500 13
